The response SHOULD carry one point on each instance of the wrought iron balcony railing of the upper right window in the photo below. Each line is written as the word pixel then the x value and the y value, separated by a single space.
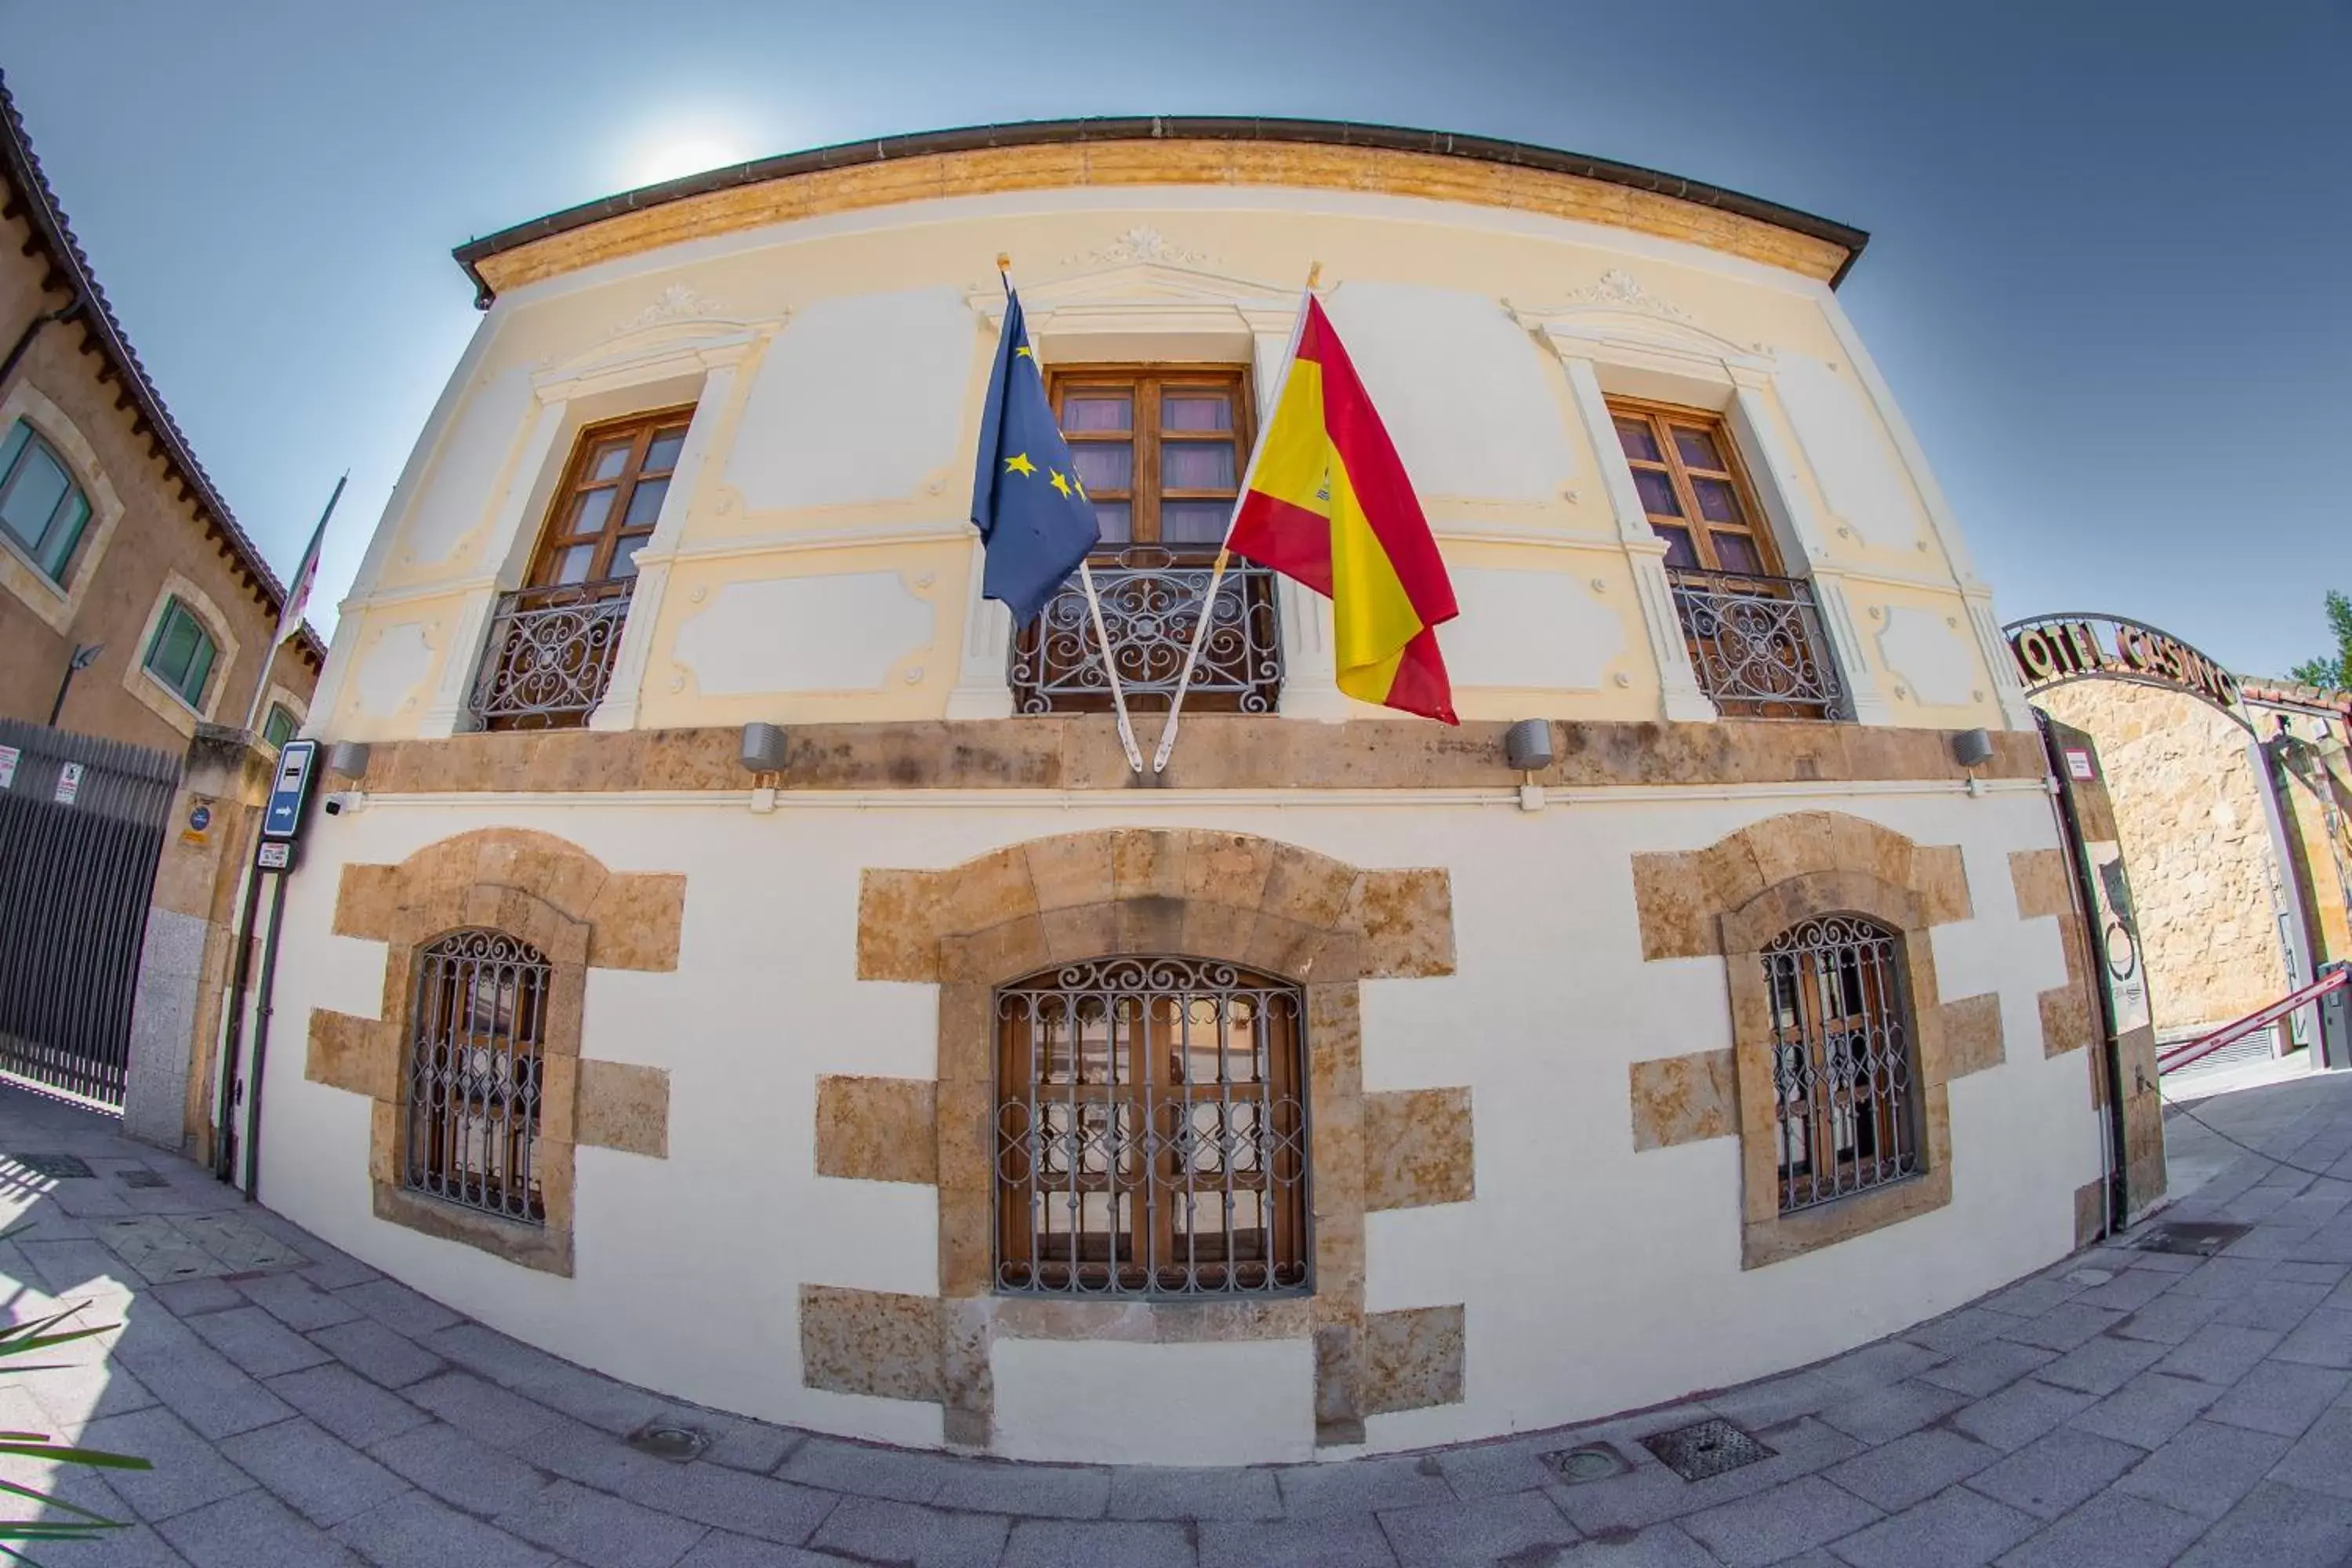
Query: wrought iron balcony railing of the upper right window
pixel 1758 645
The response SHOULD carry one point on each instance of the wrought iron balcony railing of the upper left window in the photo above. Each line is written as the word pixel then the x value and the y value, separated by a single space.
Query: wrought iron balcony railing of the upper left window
pixel 549 657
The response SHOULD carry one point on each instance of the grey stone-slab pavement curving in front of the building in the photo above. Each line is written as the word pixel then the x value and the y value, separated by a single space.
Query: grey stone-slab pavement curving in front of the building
pixel 2123 1407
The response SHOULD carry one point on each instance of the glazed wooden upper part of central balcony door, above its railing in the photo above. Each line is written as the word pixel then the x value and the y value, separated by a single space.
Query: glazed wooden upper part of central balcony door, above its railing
pixel 1158 450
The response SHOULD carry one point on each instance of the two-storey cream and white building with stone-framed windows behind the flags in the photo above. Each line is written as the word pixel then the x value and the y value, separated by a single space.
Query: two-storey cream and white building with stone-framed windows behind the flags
pixel 1325 1092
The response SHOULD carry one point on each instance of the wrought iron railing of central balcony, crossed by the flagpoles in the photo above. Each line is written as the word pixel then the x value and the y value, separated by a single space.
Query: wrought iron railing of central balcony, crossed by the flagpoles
pixel 1151 605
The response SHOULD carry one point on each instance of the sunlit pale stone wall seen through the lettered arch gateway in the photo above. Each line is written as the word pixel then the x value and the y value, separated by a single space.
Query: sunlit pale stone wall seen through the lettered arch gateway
pixel 2196 845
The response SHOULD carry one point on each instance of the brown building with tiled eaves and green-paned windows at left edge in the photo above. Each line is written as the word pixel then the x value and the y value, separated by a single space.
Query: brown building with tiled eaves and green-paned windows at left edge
pixel 116 544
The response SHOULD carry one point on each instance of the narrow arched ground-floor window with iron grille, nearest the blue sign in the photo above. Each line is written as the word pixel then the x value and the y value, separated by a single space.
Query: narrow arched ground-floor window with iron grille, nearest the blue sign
pixel 474 1085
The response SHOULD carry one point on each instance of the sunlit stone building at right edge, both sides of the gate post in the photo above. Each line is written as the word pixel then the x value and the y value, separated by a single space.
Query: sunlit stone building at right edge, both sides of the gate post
pixel 2229 923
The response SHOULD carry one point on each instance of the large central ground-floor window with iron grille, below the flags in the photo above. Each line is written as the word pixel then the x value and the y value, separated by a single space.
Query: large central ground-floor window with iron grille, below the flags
pixel 1151 1132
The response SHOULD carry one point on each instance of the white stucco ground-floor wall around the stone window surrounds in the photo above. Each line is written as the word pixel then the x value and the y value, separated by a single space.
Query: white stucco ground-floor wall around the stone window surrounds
pixel 1596 1278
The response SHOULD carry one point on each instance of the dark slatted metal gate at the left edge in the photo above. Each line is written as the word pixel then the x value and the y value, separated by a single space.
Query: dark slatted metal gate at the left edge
pixel 81 833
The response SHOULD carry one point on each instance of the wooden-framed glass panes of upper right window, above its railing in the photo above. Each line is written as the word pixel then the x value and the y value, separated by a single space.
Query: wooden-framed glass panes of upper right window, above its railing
pixel 1695 490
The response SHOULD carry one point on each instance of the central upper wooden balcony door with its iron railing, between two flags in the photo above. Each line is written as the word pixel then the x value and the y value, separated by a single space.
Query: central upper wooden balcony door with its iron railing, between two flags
pixel 1161 453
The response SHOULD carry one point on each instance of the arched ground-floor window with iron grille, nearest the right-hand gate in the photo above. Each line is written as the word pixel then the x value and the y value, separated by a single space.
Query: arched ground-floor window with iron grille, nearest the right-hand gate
pixel 1843 1059
